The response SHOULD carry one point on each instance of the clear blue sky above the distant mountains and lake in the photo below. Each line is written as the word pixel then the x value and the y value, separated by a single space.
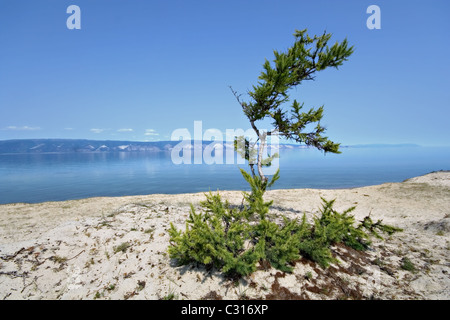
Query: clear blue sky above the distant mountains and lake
pixel 137 70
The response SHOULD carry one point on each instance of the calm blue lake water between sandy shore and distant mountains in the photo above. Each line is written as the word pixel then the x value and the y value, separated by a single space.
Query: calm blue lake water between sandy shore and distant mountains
pixel 54 177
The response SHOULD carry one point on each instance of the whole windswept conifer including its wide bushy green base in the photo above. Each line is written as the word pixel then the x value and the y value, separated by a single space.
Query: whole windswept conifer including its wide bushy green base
pixel 235 240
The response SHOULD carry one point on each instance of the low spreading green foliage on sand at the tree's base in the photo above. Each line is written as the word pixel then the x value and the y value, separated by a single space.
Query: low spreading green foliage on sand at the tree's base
pixel 234 239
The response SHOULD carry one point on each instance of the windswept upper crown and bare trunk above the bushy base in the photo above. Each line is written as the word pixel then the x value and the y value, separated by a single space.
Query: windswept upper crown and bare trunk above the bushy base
pixel 307 56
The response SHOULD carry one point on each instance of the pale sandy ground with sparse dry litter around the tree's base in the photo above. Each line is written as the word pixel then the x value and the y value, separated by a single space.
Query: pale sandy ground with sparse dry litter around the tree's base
pixel 116 248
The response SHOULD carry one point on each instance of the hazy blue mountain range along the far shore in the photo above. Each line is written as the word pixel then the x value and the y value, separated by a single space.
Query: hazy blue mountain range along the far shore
pixel 86 146
